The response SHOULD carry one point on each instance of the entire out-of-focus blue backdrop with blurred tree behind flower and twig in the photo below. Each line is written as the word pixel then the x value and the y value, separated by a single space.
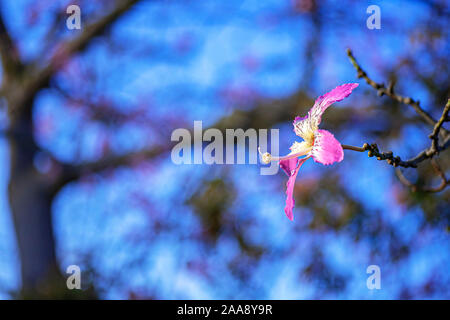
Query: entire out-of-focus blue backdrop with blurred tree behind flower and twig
pixel 86 176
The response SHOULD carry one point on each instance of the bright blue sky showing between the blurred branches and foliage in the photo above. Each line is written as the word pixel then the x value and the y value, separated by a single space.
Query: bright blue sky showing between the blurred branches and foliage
pixel 99 215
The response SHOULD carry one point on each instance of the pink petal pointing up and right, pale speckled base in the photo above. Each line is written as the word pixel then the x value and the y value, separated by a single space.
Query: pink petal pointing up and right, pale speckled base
pixel 303 126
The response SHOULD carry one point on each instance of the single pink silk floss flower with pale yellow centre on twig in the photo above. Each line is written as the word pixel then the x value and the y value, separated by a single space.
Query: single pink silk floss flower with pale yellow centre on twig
pixel 319 144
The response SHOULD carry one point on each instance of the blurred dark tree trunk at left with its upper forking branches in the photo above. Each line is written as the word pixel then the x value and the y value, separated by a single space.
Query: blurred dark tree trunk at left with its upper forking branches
pixel 30 192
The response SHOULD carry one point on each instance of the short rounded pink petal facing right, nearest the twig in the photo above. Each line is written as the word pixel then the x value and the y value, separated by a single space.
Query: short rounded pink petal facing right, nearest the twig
pixel 326 149
